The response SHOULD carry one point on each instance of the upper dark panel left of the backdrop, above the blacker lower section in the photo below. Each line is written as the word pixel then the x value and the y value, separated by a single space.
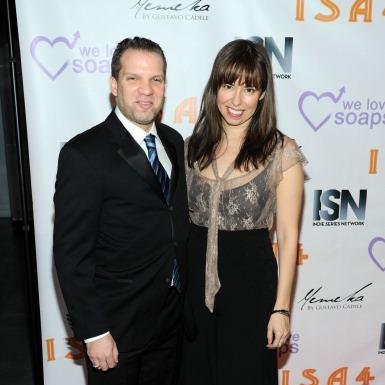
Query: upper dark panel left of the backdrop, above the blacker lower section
pixel 15 192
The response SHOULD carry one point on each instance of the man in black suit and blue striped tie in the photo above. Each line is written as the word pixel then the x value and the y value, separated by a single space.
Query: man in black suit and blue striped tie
pixel 121 225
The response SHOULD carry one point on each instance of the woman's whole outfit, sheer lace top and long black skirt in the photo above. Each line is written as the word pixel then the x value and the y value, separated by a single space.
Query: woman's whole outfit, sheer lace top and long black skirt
pixel 232 274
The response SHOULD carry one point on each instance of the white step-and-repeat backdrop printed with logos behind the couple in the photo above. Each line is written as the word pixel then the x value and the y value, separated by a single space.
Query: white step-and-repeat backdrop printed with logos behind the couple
pixel 328 63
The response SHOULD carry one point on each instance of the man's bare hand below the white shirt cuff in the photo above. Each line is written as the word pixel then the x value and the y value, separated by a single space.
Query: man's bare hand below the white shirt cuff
pixel 103 353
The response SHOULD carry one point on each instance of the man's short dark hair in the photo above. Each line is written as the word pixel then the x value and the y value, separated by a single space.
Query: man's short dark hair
pixel 138 43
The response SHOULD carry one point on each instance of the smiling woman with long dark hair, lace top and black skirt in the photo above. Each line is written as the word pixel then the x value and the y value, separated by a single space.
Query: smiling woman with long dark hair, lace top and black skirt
pixel 242 173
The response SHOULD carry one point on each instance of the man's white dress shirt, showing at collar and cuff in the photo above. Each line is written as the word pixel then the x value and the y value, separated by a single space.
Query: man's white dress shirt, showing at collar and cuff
pixel 139 134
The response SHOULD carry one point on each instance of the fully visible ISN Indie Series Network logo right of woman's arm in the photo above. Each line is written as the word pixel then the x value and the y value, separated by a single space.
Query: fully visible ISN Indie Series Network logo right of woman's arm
pixel 331 208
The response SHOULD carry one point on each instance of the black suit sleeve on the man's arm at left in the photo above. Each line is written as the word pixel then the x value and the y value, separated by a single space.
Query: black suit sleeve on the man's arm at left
pixel 78 201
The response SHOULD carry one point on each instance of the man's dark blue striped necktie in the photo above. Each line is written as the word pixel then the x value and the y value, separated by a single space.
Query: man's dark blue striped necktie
pixel 164 181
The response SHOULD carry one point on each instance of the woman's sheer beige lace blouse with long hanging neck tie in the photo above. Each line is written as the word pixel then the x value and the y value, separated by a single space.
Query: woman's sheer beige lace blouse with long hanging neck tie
pixel 245 202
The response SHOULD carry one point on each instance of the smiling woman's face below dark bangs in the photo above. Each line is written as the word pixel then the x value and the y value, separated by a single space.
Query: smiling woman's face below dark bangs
pixel 237 104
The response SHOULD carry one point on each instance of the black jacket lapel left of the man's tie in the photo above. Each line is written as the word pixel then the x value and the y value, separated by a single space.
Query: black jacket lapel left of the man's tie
pixel 133 154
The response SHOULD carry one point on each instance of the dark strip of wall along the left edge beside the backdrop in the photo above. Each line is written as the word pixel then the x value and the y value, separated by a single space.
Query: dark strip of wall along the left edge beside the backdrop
pixel 20 331
